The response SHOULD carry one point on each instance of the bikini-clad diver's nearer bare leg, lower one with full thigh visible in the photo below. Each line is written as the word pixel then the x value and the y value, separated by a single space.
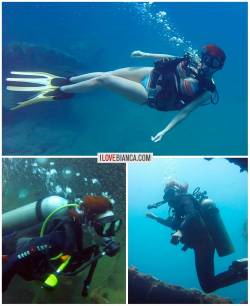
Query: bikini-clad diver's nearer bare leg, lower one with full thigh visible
pixel 130 89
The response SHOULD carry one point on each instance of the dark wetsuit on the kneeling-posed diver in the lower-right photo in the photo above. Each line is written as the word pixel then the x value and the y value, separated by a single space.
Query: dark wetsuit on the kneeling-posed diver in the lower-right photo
pixel 188 220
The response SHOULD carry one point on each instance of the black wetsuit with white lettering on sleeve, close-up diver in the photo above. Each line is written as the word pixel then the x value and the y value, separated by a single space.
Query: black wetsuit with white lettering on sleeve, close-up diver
pixel 29 257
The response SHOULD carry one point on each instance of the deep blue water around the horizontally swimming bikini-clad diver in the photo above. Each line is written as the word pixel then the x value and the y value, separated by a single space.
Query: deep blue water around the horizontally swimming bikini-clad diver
pixel 101 37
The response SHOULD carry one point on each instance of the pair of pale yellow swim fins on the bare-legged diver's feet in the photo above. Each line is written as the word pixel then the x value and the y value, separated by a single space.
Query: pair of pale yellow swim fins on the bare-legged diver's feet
pixel 49 91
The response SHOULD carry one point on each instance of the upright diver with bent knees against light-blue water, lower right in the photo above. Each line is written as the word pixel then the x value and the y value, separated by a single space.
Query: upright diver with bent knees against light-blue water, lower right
pixel 198 225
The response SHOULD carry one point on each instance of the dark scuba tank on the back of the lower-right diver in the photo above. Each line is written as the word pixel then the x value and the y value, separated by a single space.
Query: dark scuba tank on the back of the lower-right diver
pixel 215 225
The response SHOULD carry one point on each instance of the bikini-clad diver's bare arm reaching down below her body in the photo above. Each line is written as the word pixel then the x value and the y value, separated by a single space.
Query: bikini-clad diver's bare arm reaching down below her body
pixel 183 114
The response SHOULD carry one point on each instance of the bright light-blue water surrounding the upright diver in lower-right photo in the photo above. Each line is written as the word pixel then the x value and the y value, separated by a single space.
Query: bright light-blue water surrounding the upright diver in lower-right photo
pixel 149 247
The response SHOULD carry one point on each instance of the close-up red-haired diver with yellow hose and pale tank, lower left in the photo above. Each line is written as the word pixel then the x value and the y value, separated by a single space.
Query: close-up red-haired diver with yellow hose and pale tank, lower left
pixel 73 237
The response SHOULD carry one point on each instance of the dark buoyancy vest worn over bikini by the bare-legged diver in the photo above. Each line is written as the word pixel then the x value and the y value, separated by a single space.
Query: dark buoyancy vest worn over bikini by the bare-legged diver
pixel 174 83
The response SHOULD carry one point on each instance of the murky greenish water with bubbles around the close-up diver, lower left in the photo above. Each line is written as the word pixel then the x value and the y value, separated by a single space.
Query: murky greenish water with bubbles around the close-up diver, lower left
pixel 28 180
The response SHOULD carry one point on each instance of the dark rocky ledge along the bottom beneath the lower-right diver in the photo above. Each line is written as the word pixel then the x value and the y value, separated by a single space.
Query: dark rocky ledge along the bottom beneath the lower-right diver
pixel 145 289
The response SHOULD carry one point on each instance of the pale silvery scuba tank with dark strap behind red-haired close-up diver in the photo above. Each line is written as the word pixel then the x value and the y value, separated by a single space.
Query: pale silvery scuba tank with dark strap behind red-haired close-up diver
pixel 31 214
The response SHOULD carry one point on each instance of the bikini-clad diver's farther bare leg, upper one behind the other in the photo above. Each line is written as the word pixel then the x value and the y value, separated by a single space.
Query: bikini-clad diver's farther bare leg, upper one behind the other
pixel 136 74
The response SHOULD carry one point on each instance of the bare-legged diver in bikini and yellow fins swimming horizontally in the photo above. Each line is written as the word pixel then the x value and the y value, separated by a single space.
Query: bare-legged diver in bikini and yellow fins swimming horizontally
pixel 173 84
